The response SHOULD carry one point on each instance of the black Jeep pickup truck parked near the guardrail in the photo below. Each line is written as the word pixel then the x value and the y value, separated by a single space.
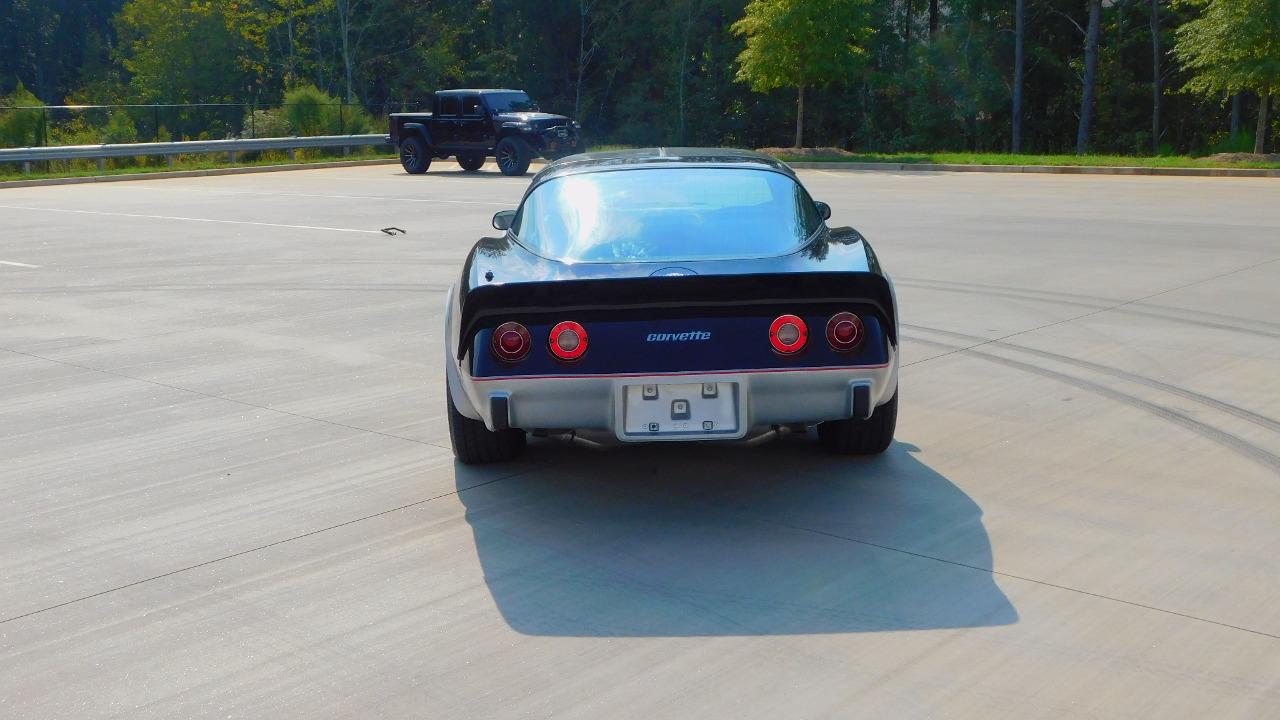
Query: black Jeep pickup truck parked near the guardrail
pixel 473 125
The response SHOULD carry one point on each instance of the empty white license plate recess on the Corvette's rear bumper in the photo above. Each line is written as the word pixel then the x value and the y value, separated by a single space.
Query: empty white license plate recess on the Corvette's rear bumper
pixel 680 411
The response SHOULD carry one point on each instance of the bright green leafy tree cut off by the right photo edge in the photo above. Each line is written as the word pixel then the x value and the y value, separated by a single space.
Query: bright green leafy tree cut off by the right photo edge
pixel 1235 45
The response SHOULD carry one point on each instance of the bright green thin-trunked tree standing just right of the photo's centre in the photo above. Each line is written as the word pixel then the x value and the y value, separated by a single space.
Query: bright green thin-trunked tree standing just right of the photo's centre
pixel 802 44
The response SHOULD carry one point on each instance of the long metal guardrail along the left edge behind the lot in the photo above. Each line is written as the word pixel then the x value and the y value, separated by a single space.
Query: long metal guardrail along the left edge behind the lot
pixel 28 156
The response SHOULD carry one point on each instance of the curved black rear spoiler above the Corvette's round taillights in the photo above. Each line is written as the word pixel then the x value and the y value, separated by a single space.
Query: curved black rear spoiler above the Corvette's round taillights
pixel 486 304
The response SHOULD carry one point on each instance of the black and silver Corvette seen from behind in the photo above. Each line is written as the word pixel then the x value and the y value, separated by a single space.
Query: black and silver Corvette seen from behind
pixel 670 295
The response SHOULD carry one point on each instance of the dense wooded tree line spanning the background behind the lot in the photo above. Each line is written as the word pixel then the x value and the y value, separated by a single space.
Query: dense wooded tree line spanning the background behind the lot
pixel 880 75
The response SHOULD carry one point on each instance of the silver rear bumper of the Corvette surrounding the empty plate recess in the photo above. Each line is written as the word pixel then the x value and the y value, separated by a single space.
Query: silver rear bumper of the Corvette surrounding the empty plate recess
pixel 597 403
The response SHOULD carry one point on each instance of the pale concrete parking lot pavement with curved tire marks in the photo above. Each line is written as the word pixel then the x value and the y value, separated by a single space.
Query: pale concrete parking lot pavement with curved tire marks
pixel 227 489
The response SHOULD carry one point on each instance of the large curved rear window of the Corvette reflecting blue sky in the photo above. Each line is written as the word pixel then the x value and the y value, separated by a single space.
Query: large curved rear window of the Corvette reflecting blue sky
pixel 665 215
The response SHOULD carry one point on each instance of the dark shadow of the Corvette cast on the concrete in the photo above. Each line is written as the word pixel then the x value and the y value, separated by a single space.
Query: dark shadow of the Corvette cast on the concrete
pixel 680 540
